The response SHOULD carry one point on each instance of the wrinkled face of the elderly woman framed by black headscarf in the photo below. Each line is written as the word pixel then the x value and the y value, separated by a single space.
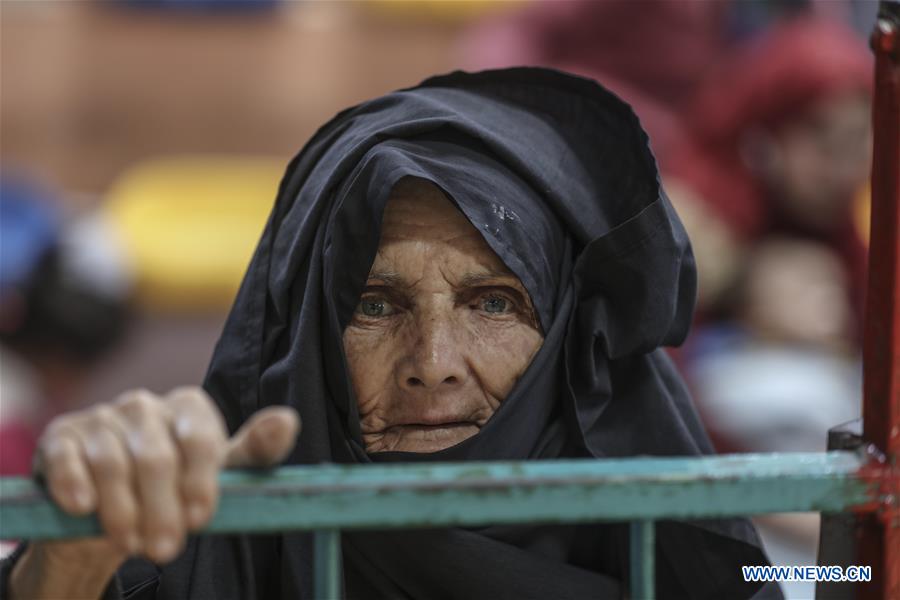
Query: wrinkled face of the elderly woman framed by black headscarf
pixel 443 329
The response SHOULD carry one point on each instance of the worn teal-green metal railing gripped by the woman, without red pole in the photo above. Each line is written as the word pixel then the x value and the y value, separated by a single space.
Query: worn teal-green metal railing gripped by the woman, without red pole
pixel 328 498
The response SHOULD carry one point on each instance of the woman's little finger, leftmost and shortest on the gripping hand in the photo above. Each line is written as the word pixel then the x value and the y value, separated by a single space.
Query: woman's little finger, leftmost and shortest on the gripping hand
pixel 60 460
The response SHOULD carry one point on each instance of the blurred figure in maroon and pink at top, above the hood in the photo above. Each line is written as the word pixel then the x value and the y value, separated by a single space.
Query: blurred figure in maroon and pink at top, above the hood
pixel 659 48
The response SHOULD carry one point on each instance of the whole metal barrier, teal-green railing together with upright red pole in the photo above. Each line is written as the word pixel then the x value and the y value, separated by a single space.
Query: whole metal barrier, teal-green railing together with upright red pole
pixel 329 498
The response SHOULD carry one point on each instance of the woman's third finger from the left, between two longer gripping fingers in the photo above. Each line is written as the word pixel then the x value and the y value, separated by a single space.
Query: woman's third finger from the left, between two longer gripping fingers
pixel 156 466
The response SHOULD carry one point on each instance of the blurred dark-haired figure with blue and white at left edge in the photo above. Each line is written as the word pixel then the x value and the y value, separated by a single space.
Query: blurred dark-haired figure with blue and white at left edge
pixel 63 308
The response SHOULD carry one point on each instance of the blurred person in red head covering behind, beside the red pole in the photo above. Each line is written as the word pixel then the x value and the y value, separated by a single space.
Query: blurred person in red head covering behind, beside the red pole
pixel 777 161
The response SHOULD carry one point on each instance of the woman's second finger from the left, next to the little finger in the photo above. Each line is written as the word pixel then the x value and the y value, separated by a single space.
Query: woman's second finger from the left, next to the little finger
pixel 110 467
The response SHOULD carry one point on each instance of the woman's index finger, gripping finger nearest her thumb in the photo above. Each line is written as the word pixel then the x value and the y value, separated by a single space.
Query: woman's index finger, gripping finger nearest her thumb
pixel 200 435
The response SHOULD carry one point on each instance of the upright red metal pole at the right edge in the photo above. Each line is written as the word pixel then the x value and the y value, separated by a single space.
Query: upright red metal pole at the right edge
pixel 880 533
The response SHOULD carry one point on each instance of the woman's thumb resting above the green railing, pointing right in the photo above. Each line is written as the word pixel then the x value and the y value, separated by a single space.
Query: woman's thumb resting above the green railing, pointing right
pixel 265 439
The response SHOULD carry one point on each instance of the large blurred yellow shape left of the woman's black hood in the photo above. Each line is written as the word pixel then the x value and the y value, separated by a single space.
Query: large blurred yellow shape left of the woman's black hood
pixel 190 225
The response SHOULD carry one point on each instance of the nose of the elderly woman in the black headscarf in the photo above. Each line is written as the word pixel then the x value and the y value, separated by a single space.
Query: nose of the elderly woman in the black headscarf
pixel 436 359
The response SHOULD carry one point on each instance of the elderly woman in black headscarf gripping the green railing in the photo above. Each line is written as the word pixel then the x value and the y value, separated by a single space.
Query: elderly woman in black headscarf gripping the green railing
pixel 481 267
